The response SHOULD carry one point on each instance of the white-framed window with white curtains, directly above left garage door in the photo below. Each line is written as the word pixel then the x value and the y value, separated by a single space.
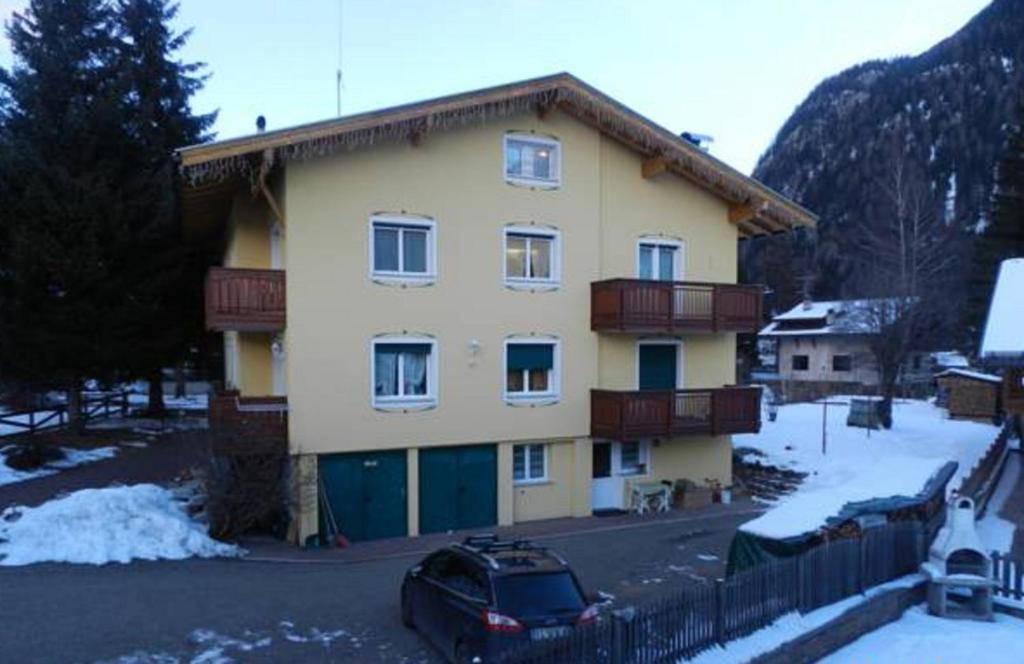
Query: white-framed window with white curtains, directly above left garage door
pixel 404 372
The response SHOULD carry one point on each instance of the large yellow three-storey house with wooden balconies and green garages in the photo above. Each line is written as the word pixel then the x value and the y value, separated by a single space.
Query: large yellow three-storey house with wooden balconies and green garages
pixel 500 307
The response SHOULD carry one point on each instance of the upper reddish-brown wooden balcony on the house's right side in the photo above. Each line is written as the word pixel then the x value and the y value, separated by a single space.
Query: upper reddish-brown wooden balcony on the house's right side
pixel 639 307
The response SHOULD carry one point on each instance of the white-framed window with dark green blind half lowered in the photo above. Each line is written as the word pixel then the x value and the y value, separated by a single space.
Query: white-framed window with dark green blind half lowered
pixel 532 370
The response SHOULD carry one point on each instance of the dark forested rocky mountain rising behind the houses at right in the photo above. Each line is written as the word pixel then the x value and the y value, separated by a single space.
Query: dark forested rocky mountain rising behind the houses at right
pixel 945 112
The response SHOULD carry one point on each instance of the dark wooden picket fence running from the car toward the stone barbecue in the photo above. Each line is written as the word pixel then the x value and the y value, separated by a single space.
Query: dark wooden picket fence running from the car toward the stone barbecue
pixel 702 617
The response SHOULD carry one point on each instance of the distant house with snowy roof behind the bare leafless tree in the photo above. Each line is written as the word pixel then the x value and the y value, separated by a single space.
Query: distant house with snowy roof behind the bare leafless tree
pixel 824 348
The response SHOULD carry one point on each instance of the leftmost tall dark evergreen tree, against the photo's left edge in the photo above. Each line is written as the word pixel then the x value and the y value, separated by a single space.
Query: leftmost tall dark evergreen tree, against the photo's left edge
pixel 61 173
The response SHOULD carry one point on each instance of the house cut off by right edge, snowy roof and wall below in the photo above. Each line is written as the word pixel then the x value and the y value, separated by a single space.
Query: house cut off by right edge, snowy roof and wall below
pixel 1003 344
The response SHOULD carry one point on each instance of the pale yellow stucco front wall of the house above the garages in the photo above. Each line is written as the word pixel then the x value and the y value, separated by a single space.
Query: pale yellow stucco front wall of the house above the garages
pixel 334 308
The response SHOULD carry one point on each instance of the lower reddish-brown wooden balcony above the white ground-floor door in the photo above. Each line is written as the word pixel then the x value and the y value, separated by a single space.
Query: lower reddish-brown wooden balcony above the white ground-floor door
pixel 632 416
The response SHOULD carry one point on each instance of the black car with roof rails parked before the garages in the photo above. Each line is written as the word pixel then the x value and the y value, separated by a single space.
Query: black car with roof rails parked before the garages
pixel 476 600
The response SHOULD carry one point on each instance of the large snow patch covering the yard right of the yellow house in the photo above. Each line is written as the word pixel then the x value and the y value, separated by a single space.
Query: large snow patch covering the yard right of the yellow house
pixel 860 465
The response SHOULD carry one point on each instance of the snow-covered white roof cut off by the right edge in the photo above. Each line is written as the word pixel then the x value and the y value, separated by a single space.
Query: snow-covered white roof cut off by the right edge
pixel 1004 340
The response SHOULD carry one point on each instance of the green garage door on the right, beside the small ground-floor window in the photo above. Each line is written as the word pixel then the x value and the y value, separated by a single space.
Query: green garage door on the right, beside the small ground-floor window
pixel 458 488
